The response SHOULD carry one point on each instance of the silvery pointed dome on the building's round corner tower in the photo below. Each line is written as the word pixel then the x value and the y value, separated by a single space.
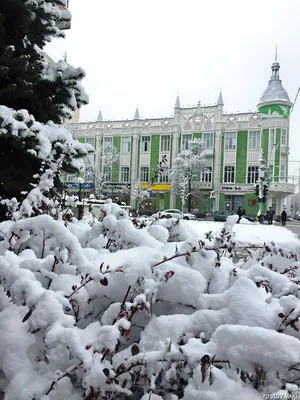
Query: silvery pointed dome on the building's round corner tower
pixel 275 93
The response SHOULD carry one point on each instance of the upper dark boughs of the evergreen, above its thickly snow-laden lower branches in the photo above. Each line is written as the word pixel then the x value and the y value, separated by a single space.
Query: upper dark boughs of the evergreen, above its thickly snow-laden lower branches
pixel 48 90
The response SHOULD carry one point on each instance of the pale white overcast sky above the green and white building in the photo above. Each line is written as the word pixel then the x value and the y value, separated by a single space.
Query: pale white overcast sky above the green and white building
pixel 142 53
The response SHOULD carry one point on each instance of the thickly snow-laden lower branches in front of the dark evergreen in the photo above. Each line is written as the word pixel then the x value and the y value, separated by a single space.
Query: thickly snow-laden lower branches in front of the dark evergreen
pixel 52 145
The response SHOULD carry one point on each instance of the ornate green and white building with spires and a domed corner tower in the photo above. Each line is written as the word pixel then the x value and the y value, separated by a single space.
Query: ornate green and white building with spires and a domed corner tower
pixel 233 145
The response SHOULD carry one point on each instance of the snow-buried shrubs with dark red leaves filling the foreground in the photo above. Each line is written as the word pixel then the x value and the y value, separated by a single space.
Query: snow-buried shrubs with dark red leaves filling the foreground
pixel 133 309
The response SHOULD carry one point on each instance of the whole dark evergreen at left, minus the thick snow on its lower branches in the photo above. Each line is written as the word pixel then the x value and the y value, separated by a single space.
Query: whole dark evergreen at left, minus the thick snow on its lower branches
pixel 30 81
